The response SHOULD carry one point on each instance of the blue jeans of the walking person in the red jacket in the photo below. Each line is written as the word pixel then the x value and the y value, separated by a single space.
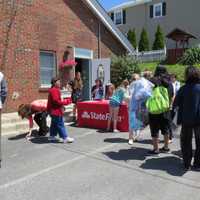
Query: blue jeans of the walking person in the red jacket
pixel 57 126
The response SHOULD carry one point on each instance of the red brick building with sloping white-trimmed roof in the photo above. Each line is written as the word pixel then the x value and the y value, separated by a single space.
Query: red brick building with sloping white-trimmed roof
pixel 34 34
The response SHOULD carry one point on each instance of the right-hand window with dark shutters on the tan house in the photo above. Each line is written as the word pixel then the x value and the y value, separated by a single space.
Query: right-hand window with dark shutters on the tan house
pixel 158 10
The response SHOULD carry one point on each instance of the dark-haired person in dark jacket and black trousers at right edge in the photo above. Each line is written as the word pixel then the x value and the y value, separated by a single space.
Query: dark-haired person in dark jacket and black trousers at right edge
pixel 188 102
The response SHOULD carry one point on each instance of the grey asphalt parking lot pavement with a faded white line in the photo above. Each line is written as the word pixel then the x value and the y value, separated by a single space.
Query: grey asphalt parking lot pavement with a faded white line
pixel 97 166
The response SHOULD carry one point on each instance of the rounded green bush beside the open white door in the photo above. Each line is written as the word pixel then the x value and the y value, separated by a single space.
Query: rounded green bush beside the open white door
pixel 122 67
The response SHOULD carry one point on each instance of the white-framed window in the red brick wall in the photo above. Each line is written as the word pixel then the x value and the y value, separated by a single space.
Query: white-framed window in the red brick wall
pixel 47 67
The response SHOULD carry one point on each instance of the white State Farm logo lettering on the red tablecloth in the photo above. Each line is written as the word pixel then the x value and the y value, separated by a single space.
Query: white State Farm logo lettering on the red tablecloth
pixel 97 116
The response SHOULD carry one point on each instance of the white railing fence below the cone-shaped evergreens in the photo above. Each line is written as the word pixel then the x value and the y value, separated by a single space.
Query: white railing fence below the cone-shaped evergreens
pixel 151 56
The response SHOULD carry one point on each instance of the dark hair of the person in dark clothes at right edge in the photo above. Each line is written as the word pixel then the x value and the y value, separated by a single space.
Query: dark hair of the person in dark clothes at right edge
pixel 192 75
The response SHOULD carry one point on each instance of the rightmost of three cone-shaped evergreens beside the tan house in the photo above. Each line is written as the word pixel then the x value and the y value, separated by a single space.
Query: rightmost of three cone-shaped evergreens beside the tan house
pixel 159 39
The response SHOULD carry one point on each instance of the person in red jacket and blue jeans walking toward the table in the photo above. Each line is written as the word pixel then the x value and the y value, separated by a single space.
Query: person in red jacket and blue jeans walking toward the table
pixel 55 107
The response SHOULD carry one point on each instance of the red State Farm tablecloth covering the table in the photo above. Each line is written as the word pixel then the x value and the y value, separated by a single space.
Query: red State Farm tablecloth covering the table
pixel 94 114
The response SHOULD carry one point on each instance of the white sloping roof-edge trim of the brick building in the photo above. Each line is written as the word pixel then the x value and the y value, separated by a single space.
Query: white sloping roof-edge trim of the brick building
pixel 106 20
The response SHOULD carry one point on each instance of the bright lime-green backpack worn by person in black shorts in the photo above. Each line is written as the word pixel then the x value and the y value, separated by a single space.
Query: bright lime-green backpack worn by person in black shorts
pixel 159 101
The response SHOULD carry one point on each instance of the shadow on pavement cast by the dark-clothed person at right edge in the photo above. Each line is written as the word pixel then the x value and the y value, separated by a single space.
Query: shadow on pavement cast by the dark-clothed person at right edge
pixel 172 165
